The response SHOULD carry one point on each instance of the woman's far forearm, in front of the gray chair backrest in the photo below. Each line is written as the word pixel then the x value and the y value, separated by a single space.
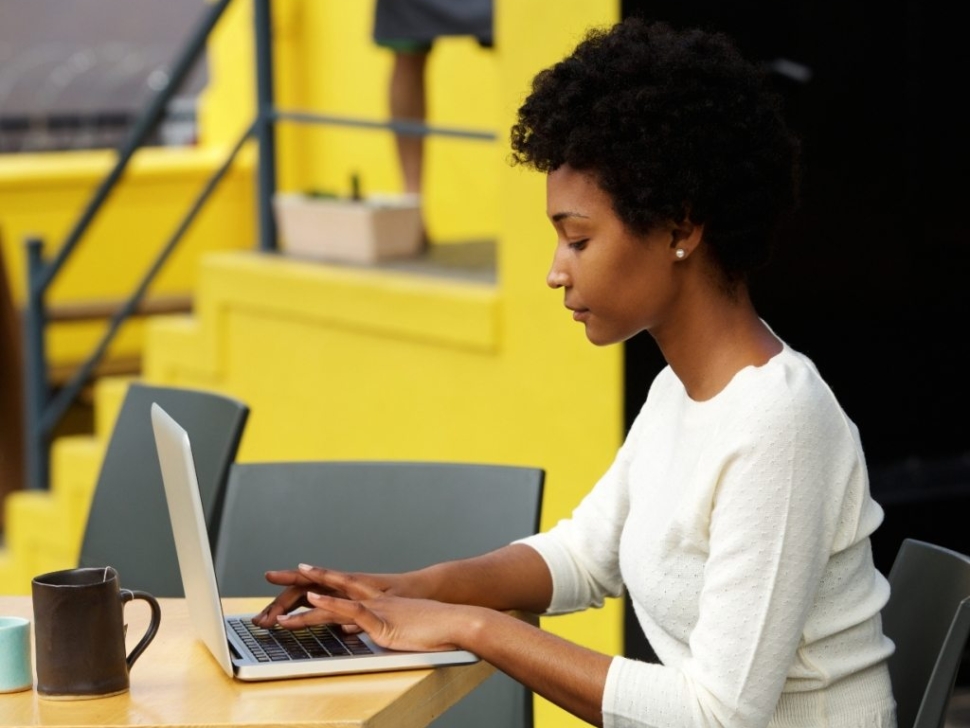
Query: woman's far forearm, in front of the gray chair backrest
pixel 512 577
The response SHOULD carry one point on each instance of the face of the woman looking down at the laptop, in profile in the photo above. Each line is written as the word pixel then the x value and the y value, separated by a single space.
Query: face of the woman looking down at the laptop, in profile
pixel 617 283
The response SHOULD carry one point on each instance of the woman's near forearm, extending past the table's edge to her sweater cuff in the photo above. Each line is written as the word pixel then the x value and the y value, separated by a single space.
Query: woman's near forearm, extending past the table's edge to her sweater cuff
pixel 571 676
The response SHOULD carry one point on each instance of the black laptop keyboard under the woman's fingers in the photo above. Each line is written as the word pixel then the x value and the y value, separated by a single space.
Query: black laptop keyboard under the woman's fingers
pixel 281 645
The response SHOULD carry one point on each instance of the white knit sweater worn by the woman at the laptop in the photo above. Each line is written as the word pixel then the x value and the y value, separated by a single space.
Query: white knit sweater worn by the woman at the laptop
pixel 739 529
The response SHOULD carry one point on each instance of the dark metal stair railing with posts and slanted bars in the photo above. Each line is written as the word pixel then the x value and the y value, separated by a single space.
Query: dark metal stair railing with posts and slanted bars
pixel 43 409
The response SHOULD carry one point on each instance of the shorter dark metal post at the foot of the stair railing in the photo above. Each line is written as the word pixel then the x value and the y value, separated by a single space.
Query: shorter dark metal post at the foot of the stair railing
pixel 37 437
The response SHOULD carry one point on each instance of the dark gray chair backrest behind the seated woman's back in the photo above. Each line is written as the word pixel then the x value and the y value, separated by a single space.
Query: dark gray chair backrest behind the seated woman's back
pixel 928 618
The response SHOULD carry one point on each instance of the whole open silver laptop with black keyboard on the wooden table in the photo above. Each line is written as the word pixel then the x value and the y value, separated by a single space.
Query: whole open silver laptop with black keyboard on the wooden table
pixel 244 651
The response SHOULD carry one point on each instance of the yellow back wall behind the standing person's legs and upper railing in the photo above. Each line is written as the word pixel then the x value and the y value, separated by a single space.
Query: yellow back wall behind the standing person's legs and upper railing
pixel 326 63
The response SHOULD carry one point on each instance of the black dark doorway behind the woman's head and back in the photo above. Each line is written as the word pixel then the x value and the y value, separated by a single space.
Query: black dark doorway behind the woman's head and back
pixel 870 281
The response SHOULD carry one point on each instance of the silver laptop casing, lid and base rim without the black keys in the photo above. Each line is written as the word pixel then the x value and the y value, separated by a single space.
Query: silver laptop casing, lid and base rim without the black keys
pixel 202 590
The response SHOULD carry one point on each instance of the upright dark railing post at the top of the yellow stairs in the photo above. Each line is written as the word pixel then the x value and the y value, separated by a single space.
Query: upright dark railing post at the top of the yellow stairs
pixel 265 129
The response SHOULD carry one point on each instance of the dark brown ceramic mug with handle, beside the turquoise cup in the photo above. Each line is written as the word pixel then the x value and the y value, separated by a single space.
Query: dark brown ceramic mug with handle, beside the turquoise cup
pixel 79 633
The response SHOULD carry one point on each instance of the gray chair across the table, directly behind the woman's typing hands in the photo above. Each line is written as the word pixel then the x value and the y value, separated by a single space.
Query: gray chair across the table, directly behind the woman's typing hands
pixel 379 517
